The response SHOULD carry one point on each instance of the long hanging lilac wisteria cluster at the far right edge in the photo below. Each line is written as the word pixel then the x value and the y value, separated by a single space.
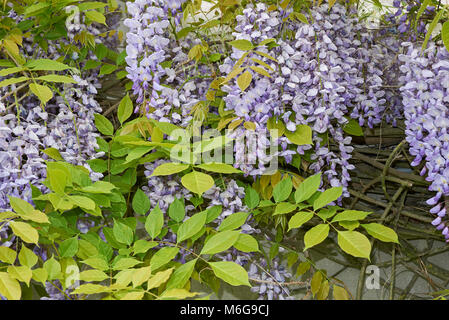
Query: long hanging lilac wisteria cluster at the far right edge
pixel 425 96
